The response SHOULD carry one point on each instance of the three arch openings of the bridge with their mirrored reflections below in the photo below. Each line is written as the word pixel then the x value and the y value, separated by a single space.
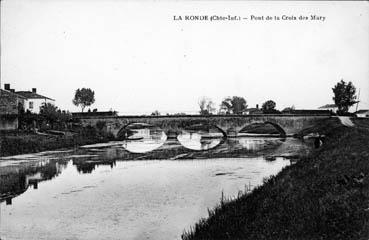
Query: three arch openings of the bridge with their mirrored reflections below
pixel 145 138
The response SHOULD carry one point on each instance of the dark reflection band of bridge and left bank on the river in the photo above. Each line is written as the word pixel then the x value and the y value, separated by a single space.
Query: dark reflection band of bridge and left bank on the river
pixel 17 177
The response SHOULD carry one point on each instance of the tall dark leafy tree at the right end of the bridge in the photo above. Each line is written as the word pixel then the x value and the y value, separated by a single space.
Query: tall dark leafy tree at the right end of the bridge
pixel 344 96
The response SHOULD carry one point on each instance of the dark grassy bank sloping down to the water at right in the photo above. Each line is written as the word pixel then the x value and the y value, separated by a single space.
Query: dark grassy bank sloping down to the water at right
pixel 323 196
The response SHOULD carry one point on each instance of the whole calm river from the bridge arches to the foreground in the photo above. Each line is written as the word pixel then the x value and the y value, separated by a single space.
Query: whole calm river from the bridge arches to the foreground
pixel 136 189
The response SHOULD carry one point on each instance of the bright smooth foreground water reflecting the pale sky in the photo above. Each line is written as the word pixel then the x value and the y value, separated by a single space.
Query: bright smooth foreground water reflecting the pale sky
pixel 135 200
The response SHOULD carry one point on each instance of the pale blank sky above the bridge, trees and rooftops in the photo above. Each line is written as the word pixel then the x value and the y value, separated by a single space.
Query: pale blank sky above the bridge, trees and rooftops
pixel 138 59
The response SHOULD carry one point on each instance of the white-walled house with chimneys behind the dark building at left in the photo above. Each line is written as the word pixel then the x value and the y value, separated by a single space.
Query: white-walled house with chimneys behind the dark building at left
pixel 33 101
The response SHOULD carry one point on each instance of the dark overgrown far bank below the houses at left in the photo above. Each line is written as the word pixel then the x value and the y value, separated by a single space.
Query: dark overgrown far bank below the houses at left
pixel 22 143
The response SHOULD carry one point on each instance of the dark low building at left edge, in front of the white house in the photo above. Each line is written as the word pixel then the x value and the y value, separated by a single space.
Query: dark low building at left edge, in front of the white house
pixel 10 102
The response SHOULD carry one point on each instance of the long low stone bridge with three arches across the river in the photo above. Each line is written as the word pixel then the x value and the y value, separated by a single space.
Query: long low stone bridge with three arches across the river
pixel 229 125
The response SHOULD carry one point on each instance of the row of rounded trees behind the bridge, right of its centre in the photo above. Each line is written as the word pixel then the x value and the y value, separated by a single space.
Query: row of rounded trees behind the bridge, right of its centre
pixel 232 105
